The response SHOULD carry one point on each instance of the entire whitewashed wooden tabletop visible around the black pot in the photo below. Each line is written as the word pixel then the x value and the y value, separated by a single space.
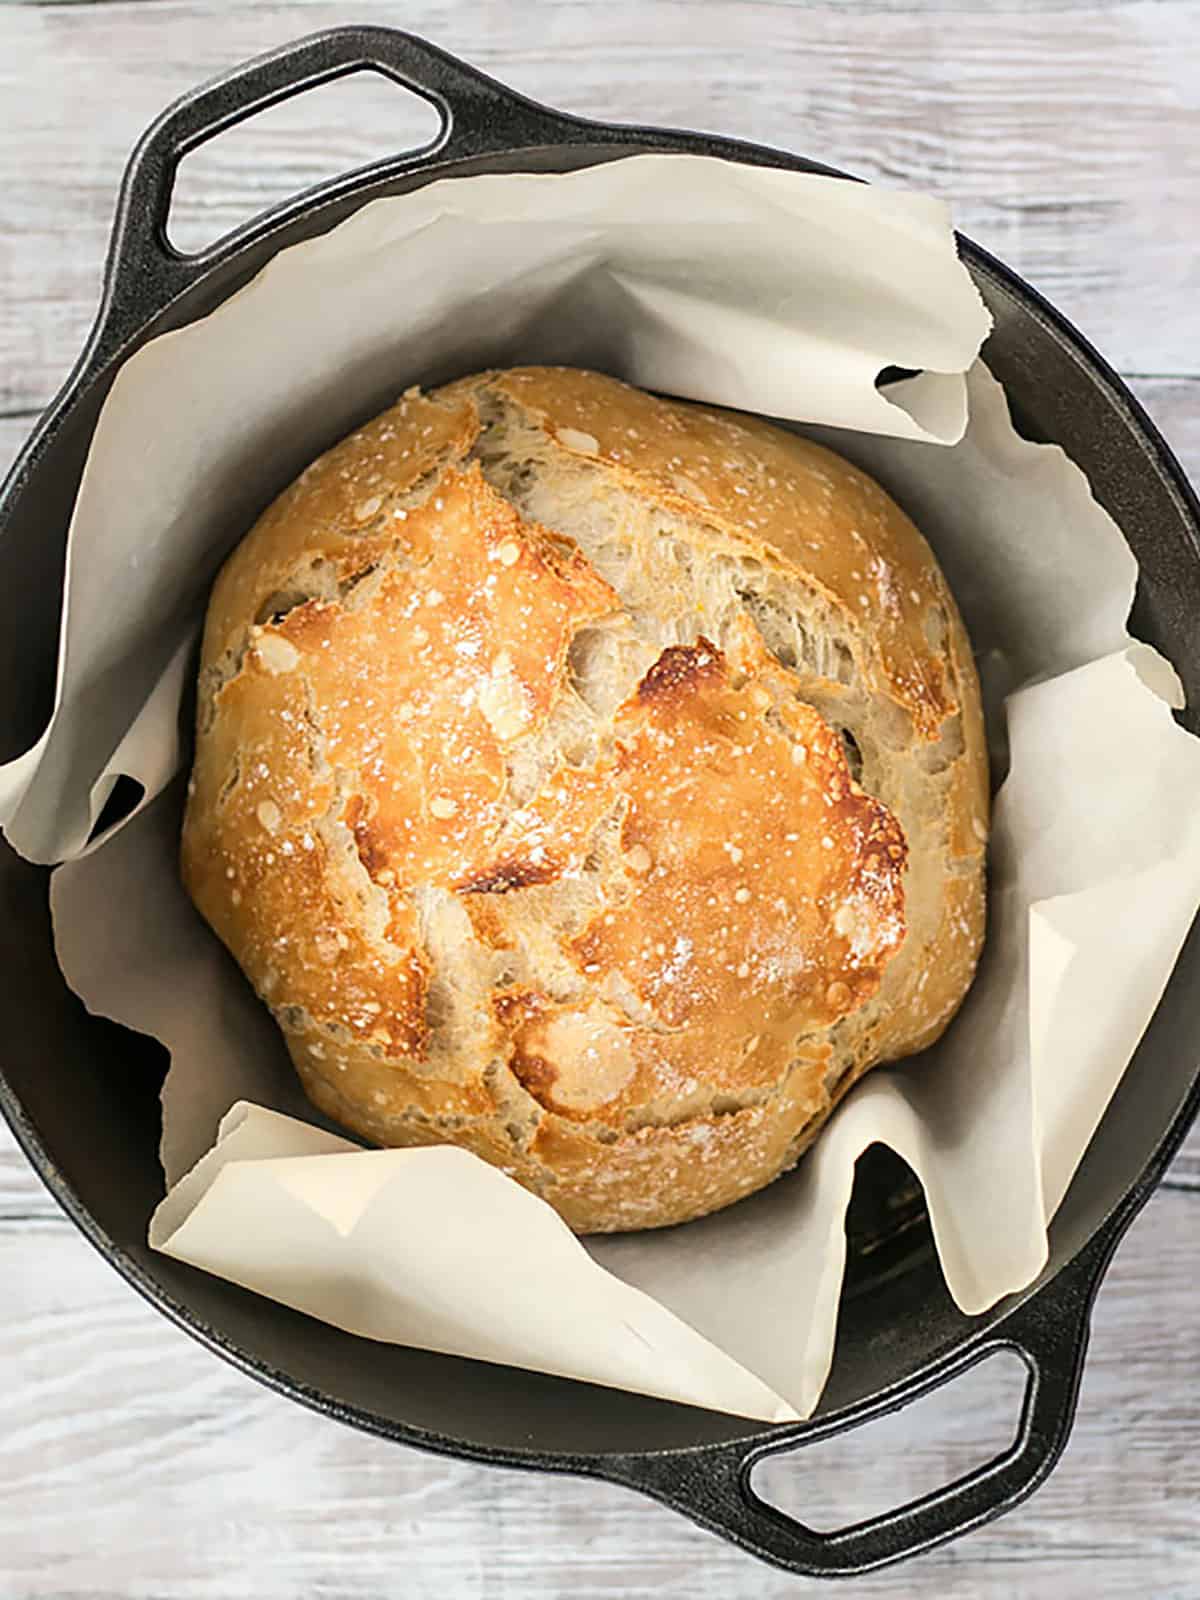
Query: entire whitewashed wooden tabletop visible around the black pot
pixel 134 1466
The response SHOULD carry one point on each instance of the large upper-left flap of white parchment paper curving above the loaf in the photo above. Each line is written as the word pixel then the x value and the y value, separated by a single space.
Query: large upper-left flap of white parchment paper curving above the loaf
pixel 764 290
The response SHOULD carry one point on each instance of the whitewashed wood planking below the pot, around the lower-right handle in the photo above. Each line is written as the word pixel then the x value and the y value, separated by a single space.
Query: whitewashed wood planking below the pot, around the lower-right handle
pixel 135 1466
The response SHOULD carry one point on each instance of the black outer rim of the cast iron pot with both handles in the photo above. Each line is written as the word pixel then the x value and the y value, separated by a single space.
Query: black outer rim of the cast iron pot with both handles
pixel 1047 1326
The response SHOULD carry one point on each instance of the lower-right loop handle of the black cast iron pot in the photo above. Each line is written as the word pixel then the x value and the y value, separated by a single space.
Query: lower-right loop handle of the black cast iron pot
pixel 713 1487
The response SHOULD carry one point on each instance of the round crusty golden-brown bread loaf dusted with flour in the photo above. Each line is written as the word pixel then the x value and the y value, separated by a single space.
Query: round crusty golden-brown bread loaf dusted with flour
pixel 593 782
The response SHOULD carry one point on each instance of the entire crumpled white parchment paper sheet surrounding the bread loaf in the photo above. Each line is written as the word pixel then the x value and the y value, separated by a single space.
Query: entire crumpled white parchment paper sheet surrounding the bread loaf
pixel 762 290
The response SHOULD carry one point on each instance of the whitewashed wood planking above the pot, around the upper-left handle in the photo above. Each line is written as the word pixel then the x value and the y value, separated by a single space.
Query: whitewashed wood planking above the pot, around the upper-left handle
pixel 1066 140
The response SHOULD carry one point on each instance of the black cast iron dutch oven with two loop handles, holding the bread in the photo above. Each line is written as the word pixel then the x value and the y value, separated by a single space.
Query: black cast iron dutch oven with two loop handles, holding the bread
pixel 82 1095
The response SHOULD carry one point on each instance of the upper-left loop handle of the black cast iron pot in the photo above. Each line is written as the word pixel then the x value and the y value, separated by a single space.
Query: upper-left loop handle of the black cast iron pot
pixel 145 273
